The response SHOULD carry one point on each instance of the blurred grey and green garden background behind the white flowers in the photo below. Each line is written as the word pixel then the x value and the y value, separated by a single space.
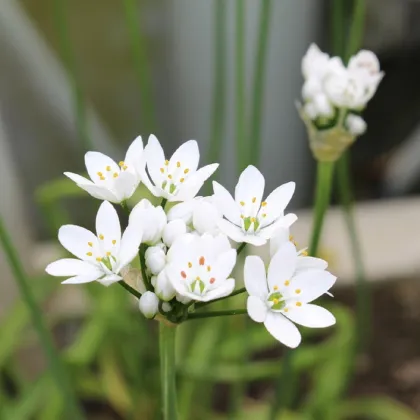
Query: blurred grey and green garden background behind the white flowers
pixel 87 75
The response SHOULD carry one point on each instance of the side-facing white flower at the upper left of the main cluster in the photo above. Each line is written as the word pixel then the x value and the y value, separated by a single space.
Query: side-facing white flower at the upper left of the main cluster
pixel 109 181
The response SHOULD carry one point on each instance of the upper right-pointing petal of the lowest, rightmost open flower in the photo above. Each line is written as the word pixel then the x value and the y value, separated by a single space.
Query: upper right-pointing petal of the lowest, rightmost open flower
pixel 312 284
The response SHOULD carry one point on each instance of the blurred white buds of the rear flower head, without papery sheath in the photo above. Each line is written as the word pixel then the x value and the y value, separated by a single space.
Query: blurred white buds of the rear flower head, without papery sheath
pixel 332 90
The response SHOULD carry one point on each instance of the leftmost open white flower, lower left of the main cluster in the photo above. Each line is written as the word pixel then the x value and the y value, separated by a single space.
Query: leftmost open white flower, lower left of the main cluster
pixel 102 256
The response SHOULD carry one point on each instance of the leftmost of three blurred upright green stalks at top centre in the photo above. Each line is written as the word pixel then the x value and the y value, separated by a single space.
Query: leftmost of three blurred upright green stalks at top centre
pixel 219 83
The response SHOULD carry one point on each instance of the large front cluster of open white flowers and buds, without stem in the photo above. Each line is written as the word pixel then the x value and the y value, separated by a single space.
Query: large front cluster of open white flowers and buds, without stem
pixel 185 243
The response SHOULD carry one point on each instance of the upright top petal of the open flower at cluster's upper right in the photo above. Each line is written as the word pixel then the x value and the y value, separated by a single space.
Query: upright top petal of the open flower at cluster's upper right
pixel 250 185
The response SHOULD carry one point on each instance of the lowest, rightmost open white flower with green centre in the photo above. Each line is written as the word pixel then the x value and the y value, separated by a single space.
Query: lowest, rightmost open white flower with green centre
pixel 284 296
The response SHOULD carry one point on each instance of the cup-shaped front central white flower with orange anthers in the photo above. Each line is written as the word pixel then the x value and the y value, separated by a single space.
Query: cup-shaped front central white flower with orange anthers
pixel 199 267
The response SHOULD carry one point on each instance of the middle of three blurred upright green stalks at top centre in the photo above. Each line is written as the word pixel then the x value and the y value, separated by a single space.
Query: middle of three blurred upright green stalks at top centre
pixel 241 141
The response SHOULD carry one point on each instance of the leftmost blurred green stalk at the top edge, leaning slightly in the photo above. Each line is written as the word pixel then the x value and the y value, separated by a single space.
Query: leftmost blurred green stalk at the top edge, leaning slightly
pixel 60 17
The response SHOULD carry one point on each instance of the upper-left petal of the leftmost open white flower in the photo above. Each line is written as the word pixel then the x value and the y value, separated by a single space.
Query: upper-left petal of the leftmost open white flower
pixel 75 239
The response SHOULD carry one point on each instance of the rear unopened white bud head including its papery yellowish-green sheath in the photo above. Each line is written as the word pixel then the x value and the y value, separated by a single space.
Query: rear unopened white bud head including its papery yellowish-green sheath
pixel 334 97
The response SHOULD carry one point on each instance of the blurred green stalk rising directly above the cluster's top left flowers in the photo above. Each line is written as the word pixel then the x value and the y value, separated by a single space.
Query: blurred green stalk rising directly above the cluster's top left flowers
pixel 141 63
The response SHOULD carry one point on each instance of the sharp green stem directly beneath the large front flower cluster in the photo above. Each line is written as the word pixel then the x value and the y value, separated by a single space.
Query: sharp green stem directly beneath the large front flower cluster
pixel 168 371
